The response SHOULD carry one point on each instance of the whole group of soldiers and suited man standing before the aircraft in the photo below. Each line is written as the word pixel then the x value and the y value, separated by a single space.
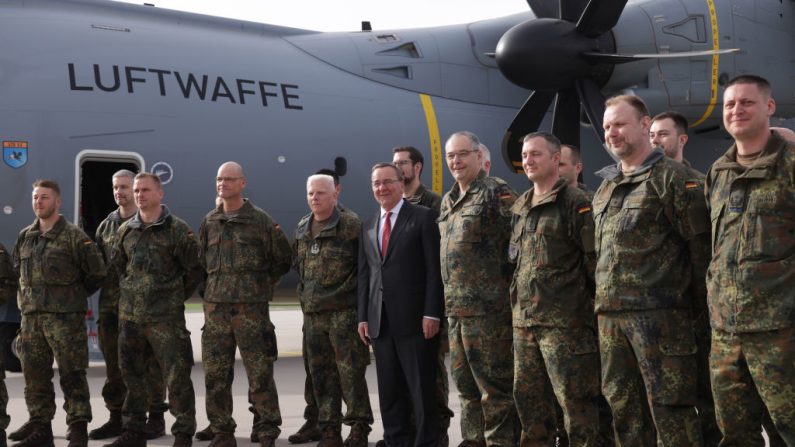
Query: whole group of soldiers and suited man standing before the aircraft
pixel 623 313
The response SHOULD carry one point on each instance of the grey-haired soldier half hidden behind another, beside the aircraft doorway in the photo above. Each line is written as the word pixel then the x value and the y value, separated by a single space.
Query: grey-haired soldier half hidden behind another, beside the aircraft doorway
pixel 113 391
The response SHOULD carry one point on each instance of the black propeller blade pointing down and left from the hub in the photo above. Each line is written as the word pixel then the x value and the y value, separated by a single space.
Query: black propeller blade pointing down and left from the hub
pixel 527 120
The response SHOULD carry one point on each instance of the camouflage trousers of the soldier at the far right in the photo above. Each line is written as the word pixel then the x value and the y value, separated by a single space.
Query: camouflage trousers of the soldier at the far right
pixel 751 371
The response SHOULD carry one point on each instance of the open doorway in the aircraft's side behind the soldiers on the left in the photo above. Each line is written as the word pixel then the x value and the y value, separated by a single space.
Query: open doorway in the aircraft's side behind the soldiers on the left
pixel 93 202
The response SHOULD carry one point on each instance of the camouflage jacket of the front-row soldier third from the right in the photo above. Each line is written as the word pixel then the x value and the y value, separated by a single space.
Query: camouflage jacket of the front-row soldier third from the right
pixel 552 245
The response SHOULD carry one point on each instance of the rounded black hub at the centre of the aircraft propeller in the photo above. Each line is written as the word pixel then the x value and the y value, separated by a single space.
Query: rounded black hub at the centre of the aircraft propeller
pixel 546 54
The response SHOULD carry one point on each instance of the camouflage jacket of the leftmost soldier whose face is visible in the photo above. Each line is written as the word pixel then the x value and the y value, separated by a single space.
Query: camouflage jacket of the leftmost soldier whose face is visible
pixel 58 269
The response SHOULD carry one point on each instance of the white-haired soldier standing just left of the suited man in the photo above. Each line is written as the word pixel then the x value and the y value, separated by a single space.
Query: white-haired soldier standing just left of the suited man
pixel 326 255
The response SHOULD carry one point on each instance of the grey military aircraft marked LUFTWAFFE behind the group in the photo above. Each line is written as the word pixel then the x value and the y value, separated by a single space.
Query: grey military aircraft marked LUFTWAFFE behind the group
pixel 91 86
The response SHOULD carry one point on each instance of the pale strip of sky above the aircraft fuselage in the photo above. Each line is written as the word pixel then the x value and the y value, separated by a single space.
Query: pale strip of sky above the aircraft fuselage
pixel 347 15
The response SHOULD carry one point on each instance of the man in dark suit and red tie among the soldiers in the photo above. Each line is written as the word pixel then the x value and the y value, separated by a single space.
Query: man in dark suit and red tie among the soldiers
pixel 399 246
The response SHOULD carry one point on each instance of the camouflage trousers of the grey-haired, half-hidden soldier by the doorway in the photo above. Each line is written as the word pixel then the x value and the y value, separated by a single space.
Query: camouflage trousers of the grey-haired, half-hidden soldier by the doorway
pixel 114 391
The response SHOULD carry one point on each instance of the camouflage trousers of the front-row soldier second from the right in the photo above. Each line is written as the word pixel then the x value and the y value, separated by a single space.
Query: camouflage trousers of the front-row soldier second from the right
pixel 650 357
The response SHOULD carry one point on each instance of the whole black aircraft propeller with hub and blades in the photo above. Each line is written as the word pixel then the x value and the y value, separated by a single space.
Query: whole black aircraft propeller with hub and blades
pixel 565 55
